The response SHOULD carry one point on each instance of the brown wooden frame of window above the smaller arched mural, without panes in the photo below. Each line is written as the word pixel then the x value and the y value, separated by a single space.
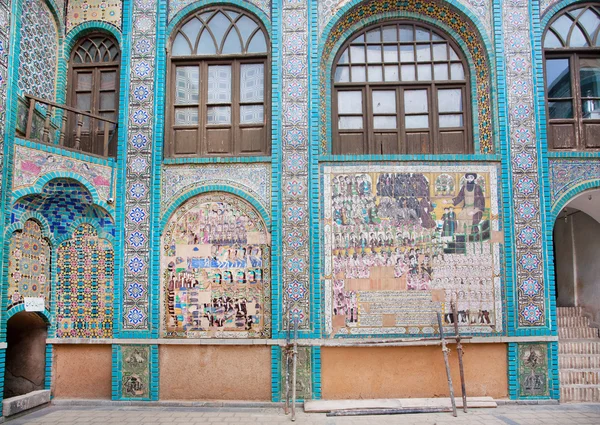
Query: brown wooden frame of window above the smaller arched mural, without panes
pixel 202 128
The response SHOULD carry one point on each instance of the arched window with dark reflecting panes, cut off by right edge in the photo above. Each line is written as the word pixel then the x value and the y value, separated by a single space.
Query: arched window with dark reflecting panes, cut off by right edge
pixel 572 65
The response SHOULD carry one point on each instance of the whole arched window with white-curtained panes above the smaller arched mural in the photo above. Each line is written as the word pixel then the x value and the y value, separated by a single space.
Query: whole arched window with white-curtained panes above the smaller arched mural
pixel 218 94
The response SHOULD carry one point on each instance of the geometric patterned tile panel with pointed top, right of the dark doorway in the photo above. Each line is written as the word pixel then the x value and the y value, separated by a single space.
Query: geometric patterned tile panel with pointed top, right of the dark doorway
pixel 85 286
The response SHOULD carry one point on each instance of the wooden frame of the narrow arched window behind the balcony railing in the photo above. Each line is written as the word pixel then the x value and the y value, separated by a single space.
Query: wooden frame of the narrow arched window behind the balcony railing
pixel 95 68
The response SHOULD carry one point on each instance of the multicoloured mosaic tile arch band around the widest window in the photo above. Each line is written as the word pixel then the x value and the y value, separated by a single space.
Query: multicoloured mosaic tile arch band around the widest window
pixel 472 41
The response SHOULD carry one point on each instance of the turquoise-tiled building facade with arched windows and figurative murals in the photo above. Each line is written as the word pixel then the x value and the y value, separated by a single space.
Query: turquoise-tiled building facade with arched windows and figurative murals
pixel 171 269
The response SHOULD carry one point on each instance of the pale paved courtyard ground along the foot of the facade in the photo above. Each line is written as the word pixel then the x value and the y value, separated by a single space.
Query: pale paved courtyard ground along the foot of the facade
pixel 507 415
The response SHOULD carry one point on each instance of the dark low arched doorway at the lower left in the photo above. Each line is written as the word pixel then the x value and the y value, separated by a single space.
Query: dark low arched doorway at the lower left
pixel 26 334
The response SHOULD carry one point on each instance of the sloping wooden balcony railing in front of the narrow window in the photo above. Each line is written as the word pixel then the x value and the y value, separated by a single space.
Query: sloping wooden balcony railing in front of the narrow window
pixel 74 129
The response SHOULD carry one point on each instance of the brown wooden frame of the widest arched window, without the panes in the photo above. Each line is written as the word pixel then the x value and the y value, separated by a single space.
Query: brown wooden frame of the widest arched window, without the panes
pixel 433 145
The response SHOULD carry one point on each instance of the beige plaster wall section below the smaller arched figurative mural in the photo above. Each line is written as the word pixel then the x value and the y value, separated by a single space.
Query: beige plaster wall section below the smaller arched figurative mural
pixel 192 372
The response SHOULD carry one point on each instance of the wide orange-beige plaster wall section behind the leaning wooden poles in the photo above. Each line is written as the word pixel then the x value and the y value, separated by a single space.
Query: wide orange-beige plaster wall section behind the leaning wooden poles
pixel 402 372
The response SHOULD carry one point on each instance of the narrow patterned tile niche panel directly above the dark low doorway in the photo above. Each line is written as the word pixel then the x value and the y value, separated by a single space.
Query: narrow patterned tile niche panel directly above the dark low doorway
pixel 28 265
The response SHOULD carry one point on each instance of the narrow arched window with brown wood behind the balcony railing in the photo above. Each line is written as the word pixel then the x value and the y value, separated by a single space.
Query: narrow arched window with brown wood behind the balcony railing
pixel 94 88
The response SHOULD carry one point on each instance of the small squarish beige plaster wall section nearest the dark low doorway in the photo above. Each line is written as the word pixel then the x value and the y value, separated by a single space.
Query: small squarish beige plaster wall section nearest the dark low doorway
pixel 82 371
